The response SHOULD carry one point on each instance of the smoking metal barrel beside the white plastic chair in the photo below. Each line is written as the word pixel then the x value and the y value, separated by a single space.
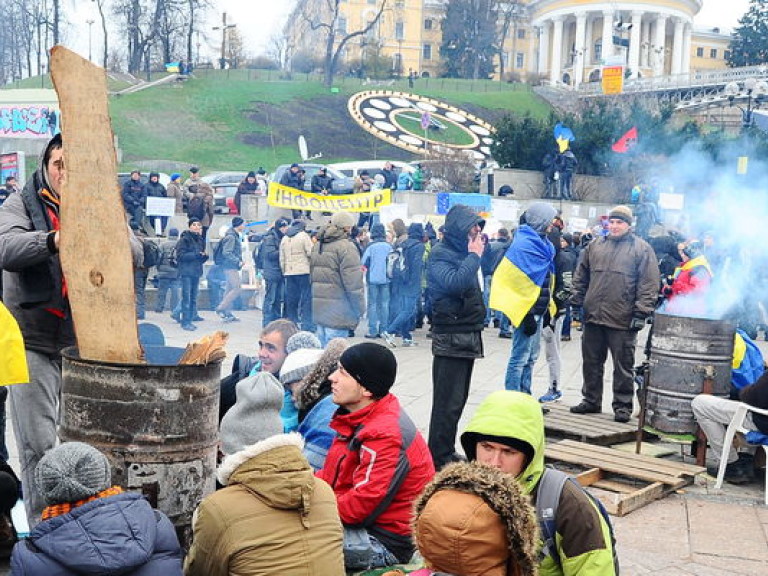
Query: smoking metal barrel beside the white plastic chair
pixel 682 349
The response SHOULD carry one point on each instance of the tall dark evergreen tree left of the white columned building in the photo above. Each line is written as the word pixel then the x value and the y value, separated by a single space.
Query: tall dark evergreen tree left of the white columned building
pixel 469 32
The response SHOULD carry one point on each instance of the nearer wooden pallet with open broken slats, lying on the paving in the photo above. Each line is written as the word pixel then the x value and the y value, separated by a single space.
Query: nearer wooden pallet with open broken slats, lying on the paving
pixel 625 481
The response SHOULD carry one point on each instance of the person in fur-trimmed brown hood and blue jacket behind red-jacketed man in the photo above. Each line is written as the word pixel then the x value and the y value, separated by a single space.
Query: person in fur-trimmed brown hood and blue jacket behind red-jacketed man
pixel 313 398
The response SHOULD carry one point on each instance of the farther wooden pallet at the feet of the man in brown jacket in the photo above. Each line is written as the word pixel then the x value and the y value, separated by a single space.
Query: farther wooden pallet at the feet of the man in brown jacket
pixel 591 428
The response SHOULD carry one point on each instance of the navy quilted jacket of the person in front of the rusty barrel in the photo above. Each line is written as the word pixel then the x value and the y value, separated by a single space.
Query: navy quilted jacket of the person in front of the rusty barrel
pixel 119 534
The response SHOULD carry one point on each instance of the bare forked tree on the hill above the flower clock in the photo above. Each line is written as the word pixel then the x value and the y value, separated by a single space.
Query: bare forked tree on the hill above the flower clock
pixel 324 16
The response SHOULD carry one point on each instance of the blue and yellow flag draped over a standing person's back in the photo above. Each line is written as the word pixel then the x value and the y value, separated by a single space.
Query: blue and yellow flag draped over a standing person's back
pixel 516 283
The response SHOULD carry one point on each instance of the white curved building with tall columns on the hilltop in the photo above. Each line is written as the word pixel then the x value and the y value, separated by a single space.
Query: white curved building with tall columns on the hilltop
pixel 650 37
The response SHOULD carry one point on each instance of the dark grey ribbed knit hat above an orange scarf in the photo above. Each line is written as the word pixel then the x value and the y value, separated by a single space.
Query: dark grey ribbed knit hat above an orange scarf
pixel 72 471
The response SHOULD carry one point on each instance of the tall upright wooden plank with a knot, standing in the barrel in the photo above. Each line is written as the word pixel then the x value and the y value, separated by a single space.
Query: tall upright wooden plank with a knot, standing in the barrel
pixel 95 251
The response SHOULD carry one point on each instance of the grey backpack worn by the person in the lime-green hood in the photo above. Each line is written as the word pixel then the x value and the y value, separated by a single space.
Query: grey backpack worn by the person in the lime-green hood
pixel 547 502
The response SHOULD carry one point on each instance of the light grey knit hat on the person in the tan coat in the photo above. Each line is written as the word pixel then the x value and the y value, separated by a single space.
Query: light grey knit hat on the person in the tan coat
pixel 256 414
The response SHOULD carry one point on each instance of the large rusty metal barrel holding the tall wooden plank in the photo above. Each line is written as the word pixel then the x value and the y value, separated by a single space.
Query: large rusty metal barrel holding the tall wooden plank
pixel 156 423
